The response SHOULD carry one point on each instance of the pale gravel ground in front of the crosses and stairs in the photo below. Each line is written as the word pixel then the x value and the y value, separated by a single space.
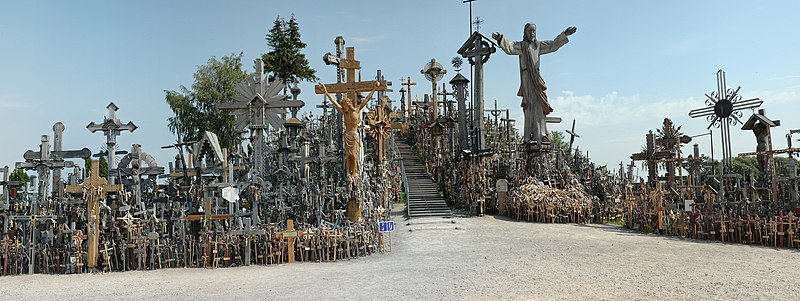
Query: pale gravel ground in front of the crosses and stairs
pixel 469 258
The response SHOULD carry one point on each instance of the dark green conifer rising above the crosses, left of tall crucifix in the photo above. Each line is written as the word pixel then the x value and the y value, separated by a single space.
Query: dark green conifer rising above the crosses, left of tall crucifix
pixel 285 61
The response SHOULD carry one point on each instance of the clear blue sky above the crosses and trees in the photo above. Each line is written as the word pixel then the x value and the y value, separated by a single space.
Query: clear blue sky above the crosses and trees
pixel 631 63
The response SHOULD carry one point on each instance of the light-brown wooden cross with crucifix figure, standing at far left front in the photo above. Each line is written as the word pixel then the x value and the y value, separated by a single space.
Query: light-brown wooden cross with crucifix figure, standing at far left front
pixel 94 190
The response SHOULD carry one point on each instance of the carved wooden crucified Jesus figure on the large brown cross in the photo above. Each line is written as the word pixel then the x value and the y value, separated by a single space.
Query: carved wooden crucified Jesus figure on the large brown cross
pixel 352 140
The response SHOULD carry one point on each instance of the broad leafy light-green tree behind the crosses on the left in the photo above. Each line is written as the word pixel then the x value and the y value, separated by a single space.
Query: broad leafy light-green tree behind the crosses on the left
pixel 195 111
